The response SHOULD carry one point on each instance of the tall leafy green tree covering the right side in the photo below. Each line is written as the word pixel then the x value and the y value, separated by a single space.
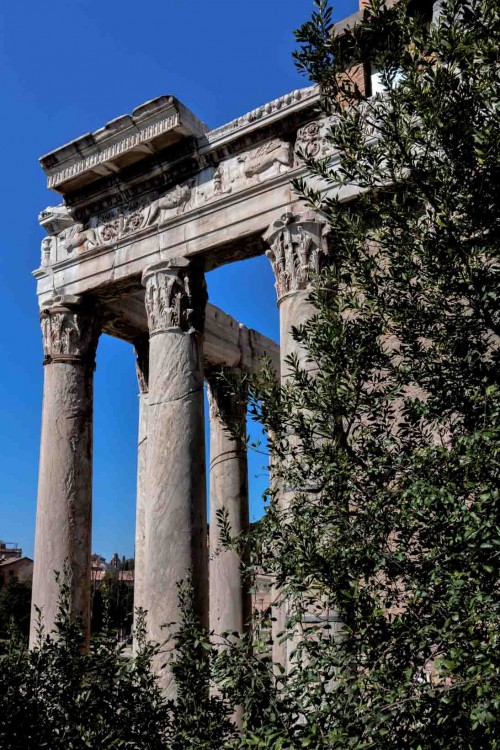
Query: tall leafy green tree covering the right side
pixel 389 443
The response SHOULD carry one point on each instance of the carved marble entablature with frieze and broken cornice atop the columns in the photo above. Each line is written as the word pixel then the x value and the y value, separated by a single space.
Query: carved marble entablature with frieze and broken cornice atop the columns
pixel 211 194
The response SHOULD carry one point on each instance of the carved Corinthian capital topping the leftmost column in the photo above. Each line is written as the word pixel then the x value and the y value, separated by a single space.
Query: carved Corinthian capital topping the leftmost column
pixel 70 331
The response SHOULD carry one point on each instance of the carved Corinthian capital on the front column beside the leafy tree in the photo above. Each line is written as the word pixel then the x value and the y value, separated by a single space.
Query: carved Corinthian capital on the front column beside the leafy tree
pixel 297 249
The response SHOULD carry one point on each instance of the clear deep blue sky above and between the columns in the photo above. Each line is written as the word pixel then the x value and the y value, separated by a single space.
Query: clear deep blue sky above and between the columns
pixel 67 67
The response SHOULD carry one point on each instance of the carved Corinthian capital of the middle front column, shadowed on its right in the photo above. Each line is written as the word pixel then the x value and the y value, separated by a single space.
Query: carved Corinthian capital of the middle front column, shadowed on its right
pixel 175 297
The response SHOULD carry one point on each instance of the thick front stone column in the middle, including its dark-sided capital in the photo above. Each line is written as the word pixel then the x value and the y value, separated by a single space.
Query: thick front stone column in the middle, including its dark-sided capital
pixel 175 518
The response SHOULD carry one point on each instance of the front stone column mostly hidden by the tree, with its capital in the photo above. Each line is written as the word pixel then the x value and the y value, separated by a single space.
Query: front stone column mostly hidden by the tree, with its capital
pixel 297 249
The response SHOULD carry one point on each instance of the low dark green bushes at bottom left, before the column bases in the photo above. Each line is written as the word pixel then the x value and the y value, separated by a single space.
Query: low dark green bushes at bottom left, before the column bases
pixel 58 696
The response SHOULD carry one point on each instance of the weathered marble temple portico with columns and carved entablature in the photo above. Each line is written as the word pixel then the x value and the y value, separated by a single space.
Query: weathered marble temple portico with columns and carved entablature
pixel 151 202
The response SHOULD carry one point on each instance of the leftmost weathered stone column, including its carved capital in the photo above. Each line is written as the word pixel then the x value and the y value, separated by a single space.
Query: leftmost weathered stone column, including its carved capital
pixel 64 509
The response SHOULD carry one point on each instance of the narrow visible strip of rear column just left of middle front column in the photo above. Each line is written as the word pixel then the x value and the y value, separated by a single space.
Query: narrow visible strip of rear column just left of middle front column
pixel 142 368
